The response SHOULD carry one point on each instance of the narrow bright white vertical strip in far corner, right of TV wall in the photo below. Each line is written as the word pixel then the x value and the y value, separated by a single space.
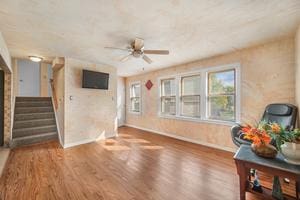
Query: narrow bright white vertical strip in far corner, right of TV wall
pixel 121 101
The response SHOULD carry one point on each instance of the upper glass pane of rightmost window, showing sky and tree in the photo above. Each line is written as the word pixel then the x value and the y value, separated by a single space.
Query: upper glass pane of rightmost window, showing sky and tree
pixel 221 82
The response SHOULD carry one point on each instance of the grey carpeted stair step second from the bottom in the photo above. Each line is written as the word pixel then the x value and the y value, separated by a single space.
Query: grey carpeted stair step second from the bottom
pixel 22 132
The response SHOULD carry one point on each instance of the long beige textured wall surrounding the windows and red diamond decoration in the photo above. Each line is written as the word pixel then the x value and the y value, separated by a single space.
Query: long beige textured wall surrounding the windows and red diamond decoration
pixel 267 76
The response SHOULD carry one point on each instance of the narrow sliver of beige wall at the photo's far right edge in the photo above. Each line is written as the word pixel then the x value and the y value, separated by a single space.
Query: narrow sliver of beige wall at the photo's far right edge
pixel 297 67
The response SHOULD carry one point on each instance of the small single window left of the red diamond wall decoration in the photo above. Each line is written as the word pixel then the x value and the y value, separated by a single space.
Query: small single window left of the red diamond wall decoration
pixel 135 97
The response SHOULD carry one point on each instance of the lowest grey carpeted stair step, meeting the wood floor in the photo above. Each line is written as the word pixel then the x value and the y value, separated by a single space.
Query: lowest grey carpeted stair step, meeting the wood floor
pixel 27 140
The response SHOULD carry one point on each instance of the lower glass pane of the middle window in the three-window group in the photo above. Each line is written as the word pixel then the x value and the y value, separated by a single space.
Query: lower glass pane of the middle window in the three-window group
pixel 190 106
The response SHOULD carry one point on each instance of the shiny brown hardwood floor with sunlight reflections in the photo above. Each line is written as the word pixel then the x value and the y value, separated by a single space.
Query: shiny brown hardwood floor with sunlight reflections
pixel 137 165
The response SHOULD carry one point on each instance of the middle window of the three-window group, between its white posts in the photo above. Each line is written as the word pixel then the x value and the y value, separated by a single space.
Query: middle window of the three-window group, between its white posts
pixel 190 96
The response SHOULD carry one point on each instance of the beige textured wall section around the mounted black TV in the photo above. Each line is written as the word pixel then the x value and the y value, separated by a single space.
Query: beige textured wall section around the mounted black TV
pixel 91 113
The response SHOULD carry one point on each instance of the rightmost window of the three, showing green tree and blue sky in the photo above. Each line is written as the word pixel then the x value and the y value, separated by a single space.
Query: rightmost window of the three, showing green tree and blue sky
pixel 221 95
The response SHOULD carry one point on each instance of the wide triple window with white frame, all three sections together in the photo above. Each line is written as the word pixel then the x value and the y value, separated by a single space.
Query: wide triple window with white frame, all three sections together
pixel 209 94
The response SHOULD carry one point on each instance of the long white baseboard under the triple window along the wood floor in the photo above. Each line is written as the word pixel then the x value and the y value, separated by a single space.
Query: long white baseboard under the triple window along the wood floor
pixel 184 138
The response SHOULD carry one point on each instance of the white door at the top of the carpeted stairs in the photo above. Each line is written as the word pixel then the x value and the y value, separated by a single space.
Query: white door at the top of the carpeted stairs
pixel 29 78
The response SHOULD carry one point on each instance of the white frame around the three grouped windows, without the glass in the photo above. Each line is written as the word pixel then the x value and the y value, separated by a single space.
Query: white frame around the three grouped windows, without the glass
pixel 203 72
